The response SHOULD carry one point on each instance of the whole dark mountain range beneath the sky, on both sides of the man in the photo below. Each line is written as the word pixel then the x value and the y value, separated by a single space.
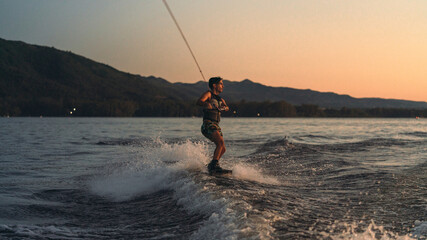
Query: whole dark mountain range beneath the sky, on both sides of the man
pixel 37 80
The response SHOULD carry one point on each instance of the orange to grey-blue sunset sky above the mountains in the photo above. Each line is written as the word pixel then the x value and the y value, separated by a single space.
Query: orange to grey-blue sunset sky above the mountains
pixel 364 48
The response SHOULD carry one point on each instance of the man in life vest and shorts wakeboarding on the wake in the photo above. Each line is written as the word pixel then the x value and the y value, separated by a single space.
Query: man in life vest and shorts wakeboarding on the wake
pixel 212 105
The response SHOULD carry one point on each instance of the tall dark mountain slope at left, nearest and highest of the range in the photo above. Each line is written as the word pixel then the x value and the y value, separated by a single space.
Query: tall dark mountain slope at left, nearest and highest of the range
pixel 36 80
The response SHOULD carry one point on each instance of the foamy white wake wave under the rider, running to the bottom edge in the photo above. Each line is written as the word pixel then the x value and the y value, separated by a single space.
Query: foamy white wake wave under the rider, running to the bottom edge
pixel 181 169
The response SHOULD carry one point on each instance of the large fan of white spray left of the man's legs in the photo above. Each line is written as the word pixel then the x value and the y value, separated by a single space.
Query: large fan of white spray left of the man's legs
pixel 156 168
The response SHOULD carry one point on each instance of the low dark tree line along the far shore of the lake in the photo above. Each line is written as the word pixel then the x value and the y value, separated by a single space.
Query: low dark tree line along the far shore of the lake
pixel 179 108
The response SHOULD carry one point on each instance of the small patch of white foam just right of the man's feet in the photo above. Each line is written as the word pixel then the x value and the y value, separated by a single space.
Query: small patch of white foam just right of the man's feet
pixel 247 172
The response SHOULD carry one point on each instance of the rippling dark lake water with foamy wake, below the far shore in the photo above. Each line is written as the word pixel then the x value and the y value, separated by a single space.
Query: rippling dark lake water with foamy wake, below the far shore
pixel 145 178
